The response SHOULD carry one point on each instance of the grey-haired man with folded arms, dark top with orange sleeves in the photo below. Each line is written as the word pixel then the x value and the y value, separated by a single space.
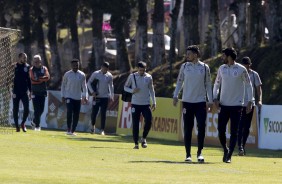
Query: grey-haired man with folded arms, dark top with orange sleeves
pixel 39 75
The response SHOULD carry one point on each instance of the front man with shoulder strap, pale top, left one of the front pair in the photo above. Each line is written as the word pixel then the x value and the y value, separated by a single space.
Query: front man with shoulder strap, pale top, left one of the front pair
pixel 194 76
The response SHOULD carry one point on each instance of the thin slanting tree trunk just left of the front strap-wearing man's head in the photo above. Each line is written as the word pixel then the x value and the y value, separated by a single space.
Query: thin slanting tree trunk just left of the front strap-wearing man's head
pixel 173 28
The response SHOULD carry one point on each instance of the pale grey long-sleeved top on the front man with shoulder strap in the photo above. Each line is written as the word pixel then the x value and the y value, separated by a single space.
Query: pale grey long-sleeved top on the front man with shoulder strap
pixel 197 82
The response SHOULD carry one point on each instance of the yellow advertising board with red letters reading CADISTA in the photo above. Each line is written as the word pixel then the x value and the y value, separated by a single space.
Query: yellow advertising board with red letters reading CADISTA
pixel 165 123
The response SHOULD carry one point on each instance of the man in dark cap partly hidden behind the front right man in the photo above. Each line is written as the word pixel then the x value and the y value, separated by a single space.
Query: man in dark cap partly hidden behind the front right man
pixel 246 118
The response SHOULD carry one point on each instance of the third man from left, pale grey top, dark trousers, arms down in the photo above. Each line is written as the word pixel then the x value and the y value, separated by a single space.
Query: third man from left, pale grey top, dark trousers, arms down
pixel 73 92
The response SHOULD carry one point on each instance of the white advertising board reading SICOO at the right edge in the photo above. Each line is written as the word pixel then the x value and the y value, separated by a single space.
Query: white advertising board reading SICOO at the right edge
pixel 270 131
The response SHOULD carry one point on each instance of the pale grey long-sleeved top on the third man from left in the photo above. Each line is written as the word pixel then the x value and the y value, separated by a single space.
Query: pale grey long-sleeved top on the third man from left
pixel 74 85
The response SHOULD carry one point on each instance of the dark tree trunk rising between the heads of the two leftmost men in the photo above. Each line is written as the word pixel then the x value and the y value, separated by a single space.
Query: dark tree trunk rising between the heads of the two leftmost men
pixel 26 29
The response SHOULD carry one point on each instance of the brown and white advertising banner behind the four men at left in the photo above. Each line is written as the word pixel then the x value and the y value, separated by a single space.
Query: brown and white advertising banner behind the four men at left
pixel 54 115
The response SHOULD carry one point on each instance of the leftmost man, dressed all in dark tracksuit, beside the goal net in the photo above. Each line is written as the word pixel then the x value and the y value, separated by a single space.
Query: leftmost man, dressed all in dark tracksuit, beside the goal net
pixel 20 90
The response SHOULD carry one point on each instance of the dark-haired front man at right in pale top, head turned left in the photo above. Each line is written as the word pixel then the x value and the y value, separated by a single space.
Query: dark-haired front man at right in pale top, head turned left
pixel 233 79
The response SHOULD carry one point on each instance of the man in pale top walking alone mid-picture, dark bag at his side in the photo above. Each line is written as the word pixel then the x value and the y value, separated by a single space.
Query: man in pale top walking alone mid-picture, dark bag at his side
pixel 142 90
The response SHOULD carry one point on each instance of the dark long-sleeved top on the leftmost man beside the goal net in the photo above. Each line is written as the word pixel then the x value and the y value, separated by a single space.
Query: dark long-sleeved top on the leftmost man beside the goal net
pixel 21 80
